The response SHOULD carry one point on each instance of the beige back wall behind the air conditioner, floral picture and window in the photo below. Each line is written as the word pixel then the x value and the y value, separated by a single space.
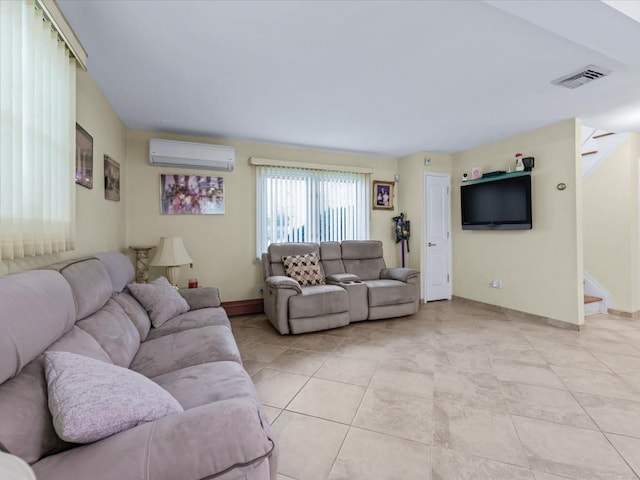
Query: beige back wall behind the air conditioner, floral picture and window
pixel 223 247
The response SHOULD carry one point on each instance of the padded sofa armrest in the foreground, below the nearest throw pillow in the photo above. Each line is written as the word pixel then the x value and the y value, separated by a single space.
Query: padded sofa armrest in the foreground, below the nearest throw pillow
pixel 188 446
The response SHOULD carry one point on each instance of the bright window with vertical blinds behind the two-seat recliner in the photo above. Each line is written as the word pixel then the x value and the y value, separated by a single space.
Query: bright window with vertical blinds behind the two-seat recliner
pixel 304 205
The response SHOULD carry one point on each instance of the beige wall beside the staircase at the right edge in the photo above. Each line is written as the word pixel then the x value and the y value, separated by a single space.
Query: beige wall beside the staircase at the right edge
pixel 611 225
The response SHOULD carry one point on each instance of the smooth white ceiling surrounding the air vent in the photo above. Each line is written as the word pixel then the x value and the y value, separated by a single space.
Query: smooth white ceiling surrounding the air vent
pixel 383 77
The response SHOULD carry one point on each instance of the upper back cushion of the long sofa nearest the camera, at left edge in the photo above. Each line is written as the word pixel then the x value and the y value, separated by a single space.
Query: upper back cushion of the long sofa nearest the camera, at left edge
pixel 36 309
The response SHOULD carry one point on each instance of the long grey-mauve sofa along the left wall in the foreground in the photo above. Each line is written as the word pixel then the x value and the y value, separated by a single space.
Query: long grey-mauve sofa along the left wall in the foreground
pixel 83 307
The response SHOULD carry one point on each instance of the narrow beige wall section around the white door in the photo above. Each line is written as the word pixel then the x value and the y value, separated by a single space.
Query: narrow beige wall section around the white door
pixel 411 169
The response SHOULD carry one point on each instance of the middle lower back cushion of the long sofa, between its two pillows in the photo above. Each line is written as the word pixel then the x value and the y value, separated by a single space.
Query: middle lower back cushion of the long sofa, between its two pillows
pixel 114 331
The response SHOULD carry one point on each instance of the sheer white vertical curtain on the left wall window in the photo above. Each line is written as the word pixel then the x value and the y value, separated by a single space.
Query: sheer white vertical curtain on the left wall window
pixel 37 135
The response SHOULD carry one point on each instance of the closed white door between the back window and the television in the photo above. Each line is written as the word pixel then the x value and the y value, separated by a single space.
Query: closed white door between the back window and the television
pixel 438 237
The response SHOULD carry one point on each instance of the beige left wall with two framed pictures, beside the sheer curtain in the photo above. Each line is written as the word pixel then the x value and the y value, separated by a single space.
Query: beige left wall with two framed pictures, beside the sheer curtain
pixel 100 224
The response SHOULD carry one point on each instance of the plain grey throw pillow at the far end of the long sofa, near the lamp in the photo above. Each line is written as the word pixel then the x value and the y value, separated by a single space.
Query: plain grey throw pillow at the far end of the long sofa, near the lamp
pixel 160 299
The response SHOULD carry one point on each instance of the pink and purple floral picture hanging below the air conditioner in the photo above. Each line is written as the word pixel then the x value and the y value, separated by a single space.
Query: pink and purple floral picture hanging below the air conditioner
pixel 191 195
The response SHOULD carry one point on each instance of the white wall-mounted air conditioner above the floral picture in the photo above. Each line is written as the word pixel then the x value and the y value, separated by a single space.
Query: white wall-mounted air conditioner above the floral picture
pixel 171 153
